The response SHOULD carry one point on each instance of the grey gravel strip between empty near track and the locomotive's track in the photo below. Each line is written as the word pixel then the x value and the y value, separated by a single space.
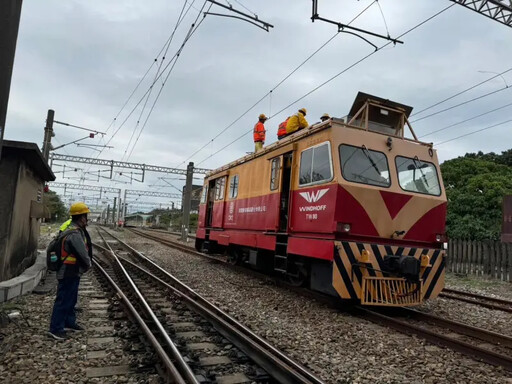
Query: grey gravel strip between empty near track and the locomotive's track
pixel 336 346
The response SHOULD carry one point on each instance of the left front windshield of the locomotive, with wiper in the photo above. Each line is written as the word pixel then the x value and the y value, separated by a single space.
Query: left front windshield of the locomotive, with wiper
pixel 362 165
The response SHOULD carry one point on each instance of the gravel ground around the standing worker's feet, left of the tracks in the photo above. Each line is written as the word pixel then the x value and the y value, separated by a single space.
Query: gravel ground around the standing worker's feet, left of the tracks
pixel 29 355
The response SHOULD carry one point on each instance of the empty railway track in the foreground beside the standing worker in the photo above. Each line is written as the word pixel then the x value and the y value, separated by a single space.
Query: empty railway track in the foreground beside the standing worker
pixel 196 341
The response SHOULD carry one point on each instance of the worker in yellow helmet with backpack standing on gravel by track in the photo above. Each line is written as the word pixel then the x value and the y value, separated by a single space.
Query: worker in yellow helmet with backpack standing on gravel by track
pixel 73 247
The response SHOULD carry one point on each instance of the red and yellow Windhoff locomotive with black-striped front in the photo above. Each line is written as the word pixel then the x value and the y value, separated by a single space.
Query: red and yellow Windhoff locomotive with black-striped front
pixel 354 209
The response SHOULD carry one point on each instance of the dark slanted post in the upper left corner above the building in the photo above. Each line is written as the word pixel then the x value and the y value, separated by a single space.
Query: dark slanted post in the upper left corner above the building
pixel 10 12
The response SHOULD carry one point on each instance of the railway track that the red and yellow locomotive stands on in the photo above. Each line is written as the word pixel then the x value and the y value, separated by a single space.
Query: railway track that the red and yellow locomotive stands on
pixel 478 343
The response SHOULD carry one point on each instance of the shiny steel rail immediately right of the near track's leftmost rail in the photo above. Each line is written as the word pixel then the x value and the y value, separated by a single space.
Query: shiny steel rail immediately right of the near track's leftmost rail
pixel 182 365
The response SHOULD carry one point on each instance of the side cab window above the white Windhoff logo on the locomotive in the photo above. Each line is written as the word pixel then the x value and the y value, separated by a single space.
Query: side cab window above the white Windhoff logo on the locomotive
pixel 315 165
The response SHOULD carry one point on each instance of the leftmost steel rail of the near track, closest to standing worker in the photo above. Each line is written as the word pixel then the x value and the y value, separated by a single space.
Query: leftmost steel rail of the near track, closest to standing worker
pixel 168 364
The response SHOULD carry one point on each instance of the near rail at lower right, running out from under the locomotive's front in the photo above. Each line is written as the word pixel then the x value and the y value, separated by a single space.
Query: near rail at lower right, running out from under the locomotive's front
pixel 482 354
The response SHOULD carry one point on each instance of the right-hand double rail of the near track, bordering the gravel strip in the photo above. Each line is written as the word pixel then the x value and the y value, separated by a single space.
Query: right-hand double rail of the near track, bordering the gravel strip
pixel 275 362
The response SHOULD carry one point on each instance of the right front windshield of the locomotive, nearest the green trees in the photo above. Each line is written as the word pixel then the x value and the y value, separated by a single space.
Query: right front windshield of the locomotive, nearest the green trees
pixel 418 176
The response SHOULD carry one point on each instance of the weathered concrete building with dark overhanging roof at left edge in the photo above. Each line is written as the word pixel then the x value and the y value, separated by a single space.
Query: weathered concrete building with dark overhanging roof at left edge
pixel 23 172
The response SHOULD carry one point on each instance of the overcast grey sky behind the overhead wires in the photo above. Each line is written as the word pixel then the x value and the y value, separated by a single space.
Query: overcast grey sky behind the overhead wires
pixel 84 58
